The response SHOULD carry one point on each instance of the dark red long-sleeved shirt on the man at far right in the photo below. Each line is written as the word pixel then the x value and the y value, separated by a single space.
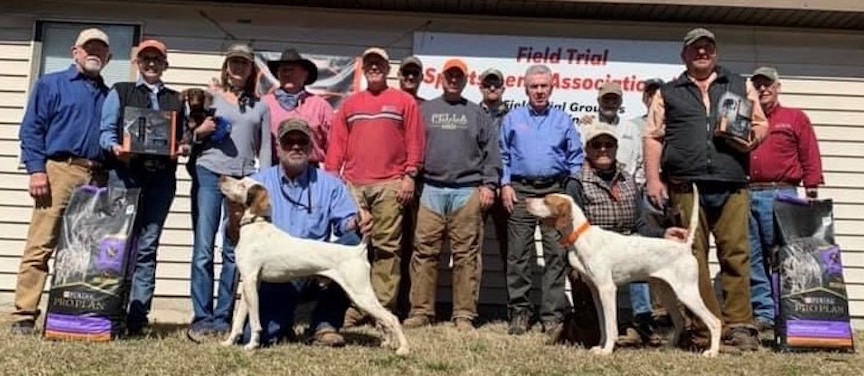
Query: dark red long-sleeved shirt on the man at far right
pixel 790 153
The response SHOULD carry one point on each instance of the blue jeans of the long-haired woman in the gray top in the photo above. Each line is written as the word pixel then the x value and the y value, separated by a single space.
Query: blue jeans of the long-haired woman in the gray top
pixel 210 203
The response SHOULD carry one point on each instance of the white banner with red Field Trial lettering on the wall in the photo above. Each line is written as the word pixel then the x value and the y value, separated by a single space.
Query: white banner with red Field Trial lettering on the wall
pixel 579 66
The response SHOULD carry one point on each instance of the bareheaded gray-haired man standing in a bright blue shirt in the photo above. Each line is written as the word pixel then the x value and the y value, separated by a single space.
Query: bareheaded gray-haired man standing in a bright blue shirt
pixel 540 151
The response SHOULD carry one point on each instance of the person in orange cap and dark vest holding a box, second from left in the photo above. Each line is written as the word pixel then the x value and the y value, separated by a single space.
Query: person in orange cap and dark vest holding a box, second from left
pixel 155 176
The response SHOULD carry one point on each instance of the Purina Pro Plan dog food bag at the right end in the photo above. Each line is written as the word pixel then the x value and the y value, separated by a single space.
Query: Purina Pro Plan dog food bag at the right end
pixel 813 307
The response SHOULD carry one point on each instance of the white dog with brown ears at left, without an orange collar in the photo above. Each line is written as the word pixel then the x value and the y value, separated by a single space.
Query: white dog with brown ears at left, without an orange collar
pixel 267 254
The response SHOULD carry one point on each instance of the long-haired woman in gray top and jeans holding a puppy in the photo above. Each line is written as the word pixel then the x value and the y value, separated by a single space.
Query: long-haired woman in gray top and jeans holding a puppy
pixel 228 146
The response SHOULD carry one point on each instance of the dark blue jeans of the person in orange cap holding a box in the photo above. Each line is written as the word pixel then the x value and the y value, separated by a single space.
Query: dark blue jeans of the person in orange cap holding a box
pixel 157 193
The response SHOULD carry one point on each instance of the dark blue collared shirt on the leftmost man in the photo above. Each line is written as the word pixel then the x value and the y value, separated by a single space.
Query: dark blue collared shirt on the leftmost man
pixel 62 119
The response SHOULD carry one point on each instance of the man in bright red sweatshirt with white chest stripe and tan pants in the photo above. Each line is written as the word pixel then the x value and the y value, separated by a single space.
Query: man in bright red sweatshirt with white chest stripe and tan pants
pixel 377 145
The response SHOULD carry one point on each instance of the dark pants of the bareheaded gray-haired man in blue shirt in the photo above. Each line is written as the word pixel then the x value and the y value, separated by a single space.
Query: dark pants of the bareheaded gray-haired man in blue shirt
pixel 521 258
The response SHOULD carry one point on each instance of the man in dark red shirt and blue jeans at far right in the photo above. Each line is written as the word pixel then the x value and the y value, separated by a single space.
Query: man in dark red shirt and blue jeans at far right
pixel 788 157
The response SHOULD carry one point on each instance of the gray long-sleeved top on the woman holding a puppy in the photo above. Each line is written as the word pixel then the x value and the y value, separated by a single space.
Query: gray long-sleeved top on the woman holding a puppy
pixel 249 139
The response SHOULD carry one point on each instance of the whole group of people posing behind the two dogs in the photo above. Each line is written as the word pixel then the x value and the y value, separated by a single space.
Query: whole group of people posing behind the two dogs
pixel 408 173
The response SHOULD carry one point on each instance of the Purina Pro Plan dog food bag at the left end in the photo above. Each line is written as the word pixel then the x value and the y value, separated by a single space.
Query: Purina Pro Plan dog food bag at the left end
pixel 93 266
